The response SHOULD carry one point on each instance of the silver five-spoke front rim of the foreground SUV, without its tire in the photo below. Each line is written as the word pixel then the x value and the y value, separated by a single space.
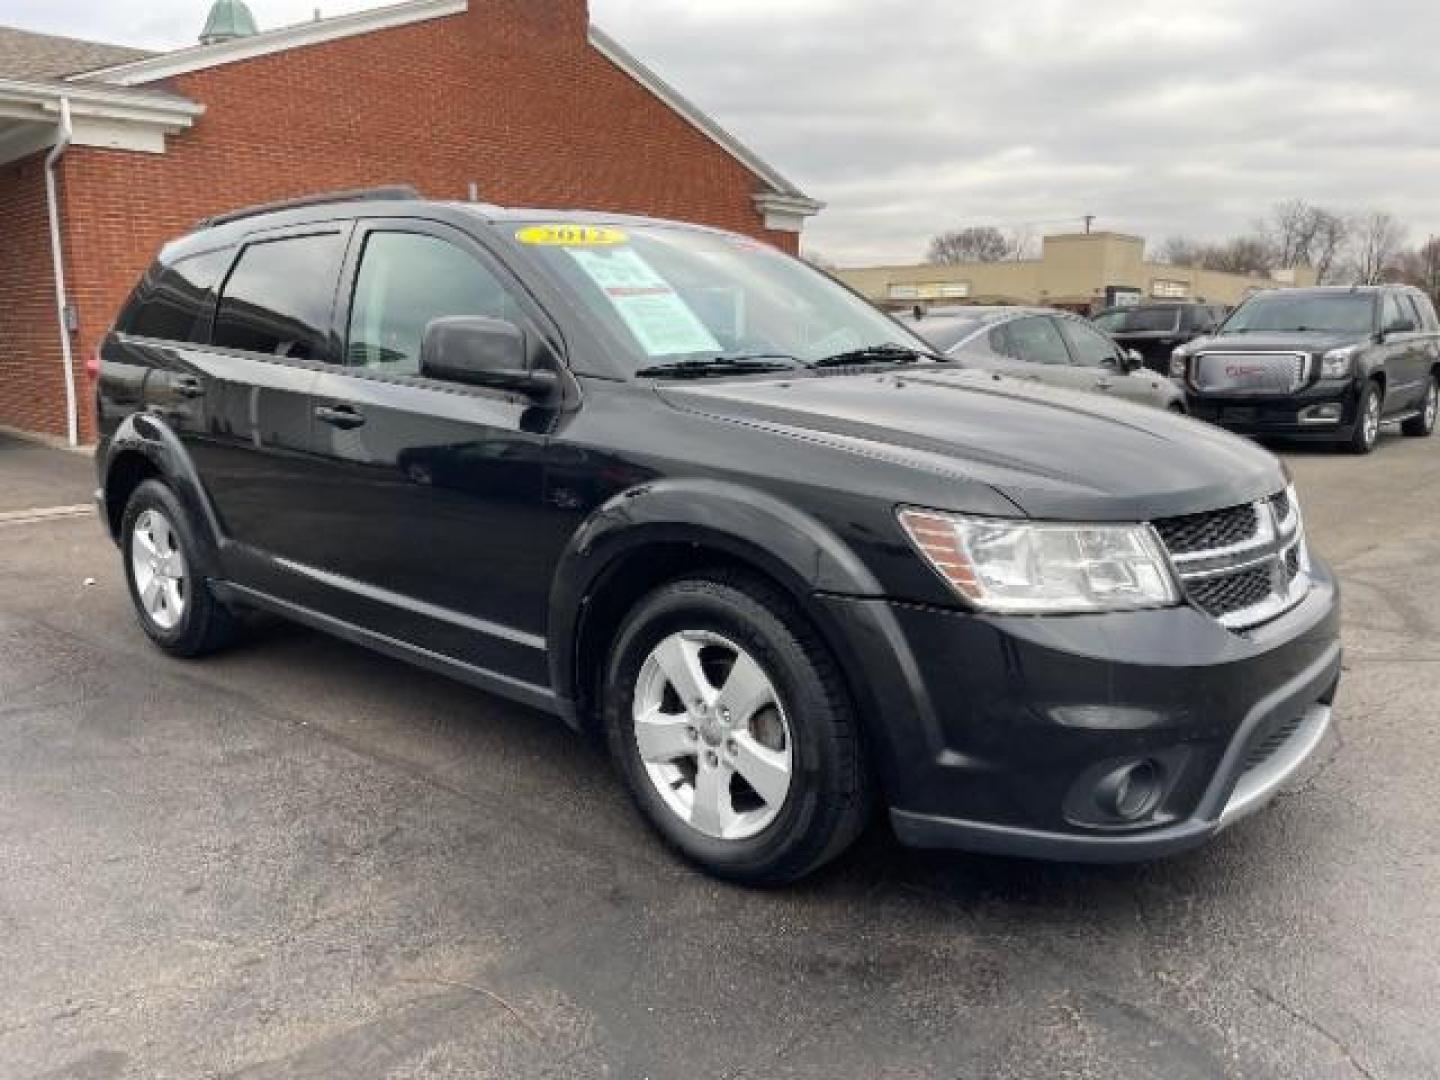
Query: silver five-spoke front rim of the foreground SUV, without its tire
pixel 714 735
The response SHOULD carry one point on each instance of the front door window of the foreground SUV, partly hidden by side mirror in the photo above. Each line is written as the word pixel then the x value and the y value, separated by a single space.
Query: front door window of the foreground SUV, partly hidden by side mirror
pixel 405 282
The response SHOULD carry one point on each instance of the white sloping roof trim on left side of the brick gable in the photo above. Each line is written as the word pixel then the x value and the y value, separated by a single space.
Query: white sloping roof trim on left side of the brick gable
pixel 201 57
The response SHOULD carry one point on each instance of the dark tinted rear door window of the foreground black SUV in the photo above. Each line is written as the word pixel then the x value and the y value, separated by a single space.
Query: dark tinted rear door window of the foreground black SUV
pixel 279 297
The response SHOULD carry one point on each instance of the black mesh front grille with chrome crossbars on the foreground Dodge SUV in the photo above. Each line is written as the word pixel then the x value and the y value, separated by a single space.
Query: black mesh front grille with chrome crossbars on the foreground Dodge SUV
pixel 1241 565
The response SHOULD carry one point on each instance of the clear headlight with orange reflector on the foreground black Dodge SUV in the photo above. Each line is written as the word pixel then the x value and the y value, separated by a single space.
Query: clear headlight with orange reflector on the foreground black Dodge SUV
pixel 1040 568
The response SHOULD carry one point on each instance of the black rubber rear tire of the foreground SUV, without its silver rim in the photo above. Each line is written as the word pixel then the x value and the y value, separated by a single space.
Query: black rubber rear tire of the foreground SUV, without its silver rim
pixel 204 624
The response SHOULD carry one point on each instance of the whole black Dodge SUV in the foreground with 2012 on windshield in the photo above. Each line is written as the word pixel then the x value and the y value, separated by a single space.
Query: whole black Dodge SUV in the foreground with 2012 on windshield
pixel 686 492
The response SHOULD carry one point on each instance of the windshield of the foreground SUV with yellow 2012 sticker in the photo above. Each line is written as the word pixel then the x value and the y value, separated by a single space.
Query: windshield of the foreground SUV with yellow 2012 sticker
pixel 685 302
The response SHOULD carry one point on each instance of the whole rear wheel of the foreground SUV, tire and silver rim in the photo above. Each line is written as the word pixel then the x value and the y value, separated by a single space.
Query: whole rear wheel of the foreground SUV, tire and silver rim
pixel 162 567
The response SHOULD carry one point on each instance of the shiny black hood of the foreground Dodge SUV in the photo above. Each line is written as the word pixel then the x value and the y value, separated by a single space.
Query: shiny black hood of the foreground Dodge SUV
pixel 1055 454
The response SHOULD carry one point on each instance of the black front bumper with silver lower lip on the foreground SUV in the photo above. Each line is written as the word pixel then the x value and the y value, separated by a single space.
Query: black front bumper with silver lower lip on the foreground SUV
pixel 991 731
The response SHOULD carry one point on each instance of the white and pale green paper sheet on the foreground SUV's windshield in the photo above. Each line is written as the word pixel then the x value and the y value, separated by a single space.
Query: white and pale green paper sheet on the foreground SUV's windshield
pixel 653 312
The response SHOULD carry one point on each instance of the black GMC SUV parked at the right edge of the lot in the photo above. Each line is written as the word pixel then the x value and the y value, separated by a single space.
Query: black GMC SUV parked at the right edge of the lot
pixel 1323 364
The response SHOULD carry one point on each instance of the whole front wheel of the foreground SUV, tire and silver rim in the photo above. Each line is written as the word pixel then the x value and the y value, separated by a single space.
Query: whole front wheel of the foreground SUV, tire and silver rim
pixel 734 731
